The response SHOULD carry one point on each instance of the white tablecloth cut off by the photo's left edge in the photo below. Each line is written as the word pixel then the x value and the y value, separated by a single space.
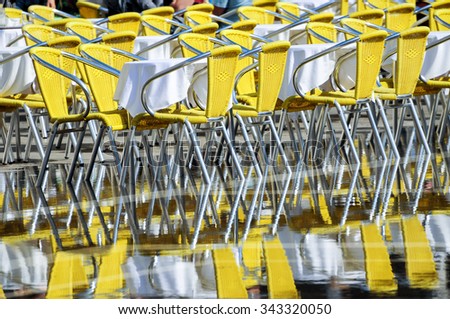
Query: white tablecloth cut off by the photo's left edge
pixel 16 76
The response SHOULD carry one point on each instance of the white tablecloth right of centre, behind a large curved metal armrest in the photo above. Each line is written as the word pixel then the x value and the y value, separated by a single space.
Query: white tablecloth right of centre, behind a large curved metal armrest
pixel 316 72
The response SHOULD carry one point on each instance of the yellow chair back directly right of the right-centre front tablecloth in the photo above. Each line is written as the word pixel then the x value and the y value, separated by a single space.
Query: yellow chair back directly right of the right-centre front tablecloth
pixel 369 51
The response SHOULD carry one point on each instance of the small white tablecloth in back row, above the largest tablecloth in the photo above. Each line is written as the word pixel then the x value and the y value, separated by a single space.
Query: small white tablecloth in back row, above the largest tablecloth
pixel 163 51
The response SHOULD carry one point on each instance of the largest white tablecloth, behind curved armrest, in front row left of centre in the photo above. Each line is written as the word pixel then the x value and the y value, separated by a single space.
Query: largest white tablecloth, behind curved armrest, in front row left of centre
pixel 163 92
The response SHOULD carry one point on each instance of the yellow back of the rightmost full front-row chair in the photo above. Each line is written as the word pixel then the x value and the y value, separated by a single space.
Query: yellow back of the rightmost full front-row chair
pixel 410 53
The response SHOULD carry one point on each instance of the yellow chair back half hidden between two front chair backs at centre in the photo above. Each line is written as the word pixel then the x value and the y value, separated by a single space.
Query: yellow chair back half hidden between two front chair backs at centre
pixel 246 85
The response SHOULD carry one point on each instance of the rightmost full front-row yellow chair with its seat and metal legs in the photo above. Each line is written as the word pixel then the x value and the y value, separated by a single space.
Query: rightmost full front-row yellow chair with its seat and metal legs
pixel 410 53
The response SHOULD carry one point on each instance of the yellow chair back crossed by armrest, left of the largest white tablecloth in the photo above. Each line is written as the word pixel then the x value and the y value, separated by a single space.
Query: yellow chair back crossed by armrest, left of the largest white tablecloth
pixel 101 83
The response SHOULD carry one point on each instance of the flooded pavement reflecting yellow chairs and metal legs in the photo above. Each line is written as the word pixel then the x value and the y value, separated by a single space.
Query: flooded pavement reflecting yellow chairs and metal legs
pixel 380 229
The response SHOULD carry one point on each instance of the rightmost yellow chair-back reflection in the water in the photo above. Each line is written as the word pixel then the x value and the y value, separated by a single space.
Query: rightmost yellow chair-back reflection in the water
pixel 420 266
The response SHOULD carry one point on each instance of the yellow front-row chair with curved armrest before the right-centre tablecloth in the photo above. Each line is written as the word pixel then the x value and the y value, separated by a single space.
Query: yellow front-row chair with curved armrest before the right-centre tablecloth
pixel 369 52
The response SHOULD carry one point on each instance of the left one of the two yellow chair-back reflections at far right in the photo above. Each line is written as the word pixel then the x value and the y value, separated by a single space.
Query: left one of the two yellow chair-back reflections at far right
pixel 377 263
